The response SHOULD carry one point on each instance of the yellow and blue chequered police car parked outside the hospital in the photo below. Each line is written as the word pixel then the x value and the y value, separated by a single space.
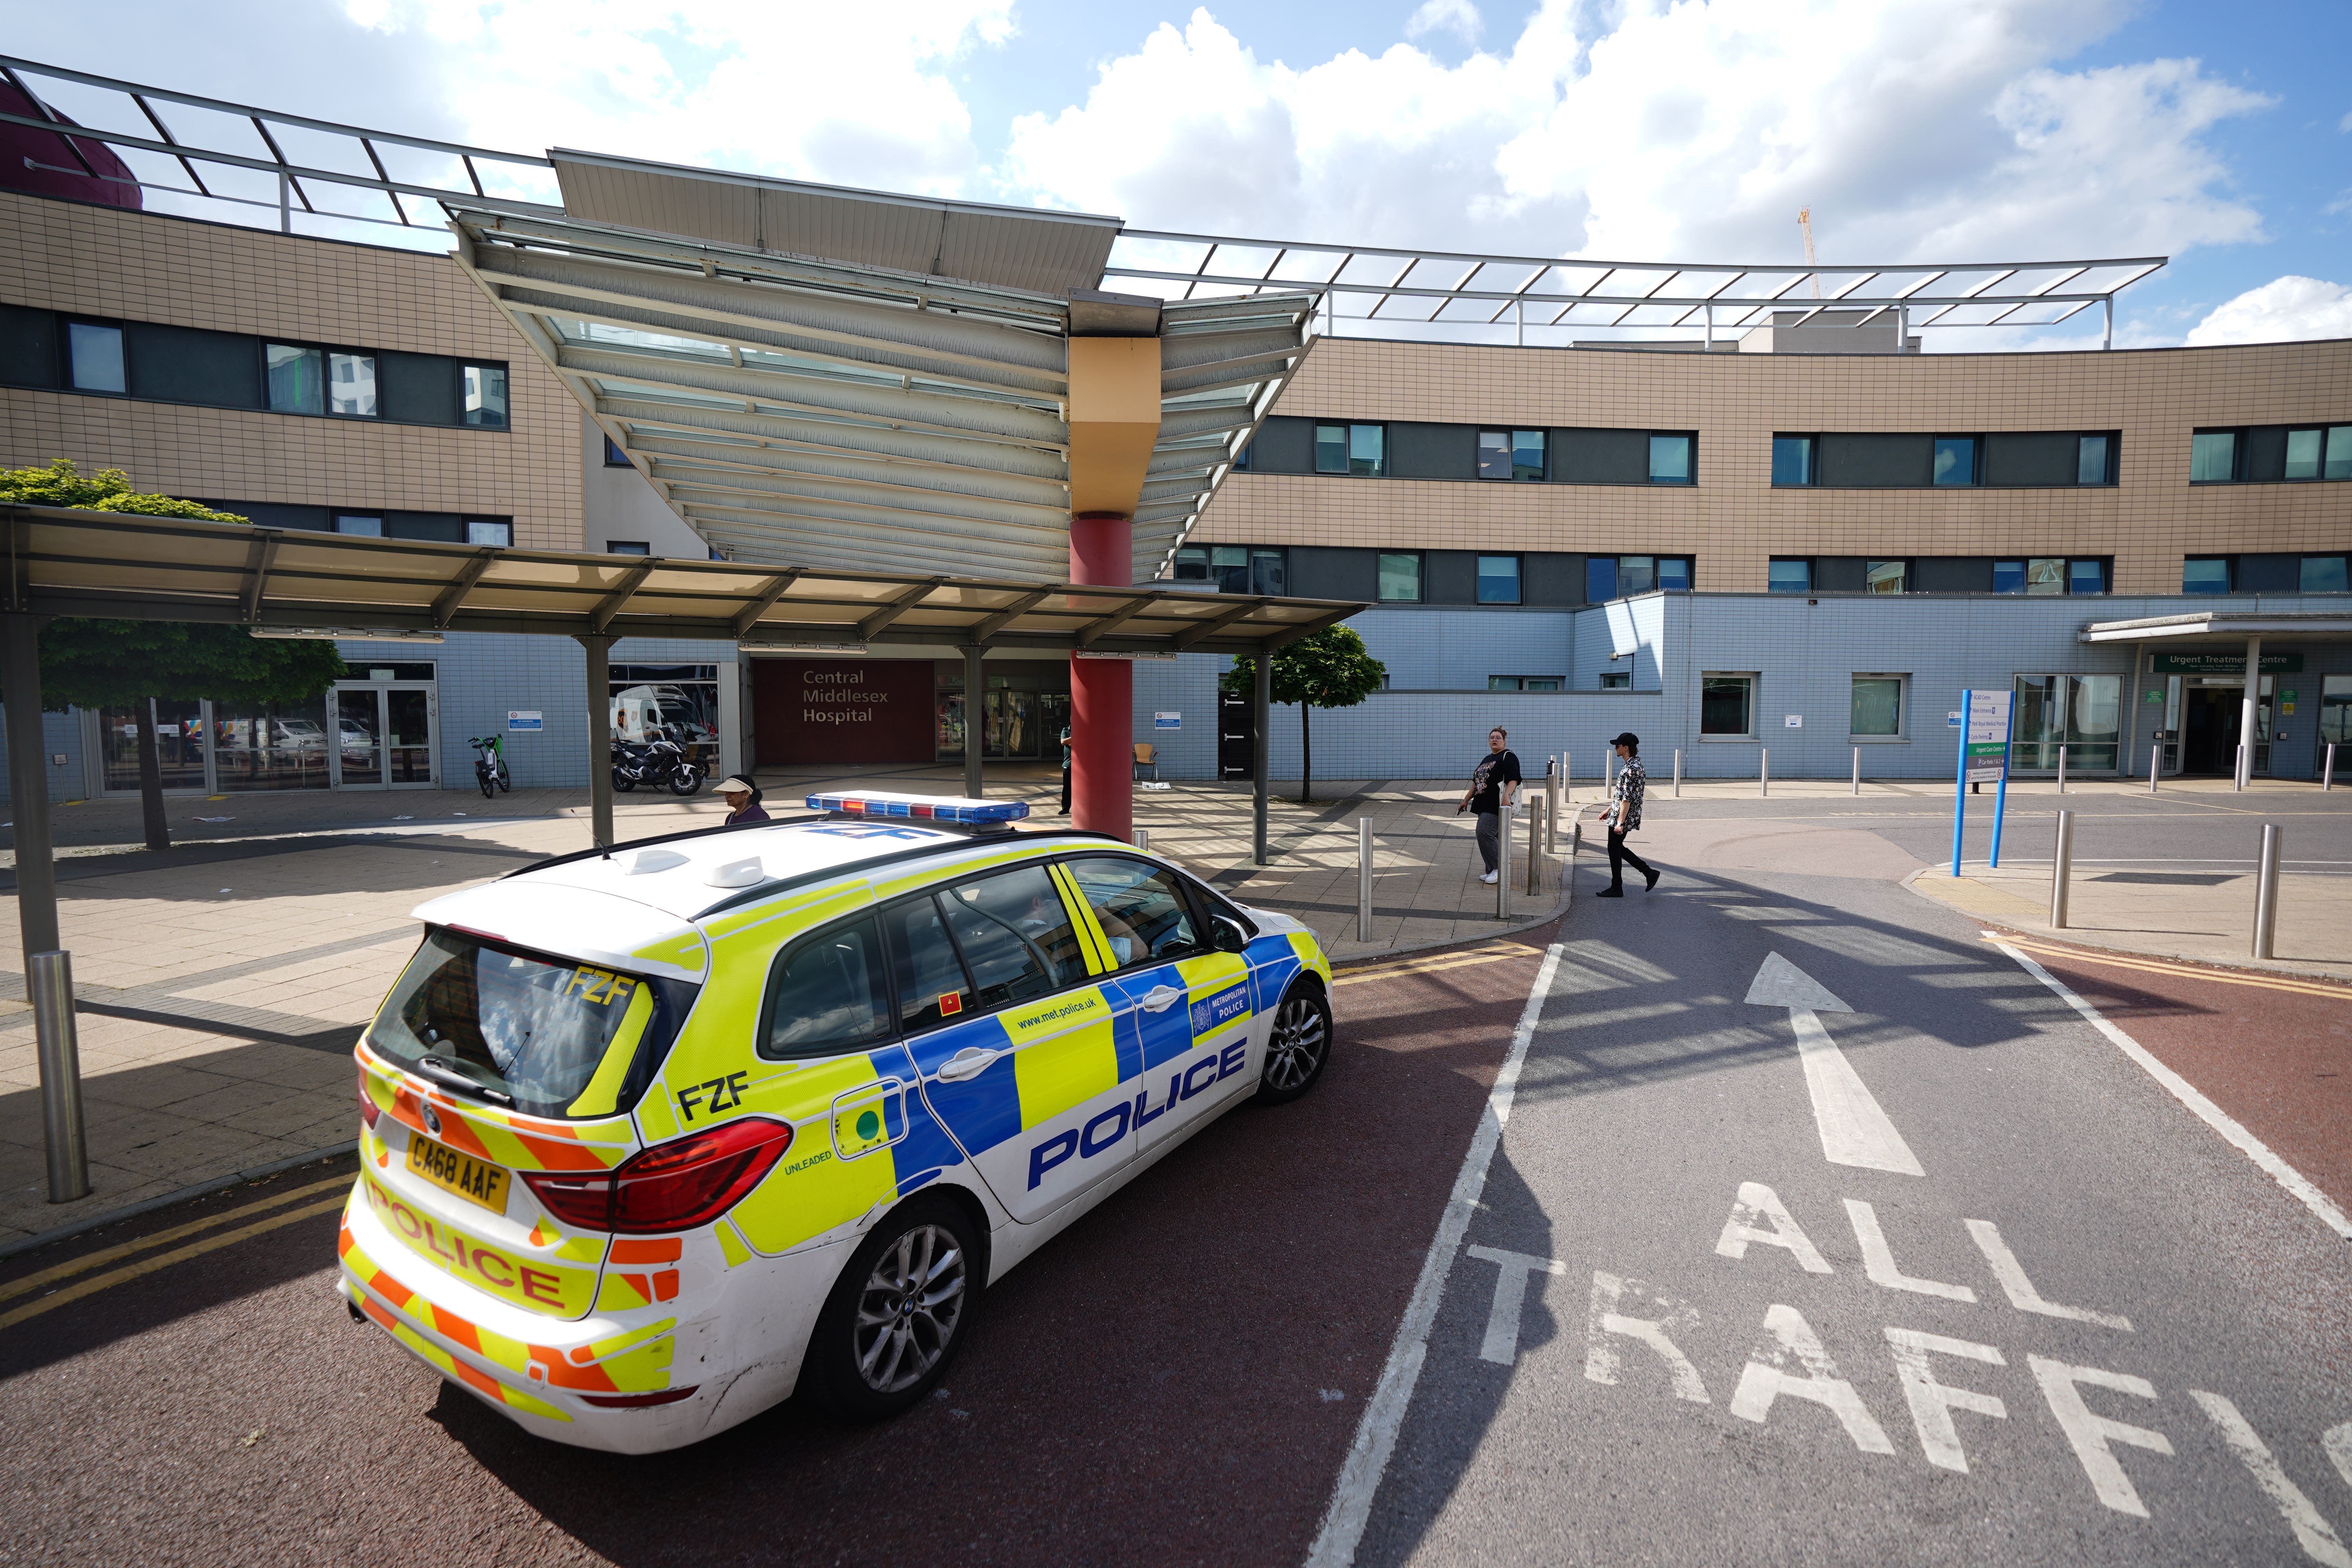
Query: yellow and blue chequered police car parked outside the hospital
pixel 657 1137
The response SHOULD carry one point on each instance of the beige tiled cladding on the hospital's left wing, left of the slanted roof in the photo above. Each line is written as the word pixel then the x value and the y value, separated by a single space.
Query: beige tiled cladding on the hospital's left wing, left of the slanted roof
pixel 187 274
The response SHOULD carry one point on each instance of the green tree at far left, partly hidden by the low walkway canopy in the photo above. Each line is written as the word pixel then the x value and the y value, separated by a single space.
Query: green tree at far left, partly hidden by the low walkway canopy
pixel 123 664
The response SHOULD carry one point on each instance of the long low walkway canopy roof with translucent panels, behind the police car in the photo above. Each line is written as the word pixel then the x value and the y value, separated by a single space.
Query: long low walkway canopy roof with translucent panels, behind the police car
pixel 119 565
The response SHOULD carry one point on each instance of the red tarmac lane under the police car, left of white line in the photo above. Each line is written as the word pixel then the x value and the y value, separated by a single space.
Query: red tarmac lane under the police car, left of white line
pixel 1172 1381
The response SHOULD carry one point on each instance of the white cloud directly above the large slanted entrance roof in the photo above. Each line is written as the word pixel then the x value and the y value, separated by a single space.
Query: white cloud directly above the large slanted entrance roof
pixel 853 95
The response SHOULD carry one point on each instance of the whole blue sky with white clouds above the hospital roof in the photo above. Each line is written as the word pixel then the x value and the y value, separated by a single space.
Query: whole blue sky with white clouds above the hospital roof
pixel 1638 130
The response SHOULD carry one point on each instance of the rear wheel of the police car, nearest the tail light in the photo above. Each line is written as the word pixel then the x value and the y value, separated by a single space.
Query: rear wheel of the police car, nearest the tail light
pixel 897 1315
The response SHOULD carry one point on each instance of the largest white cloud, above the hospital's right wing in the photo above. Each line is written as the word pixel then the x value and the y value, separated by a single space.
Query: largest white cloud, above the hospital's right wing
pixel 1652 130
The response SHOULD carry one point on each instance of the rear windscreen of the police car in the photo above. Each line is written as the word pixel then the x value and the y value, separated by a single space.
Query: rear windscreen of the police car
pixel 552 1036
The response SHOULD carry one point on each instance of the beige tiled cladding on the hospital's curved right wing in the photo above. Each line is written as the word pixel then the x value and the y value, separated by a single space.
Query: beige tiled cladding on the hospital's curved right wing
pixel 1735 521
